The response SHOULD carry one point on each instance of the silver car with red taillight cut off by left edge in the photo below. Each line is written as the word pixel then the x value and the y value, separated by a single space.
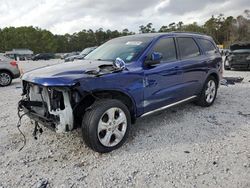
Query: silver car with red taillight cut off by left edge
pixel 8 70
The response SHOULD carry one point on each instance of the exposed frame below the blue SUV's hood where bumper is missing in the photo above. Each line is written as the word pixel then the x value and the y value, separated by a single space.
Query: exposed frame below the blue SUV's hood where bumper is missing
pixel 50 106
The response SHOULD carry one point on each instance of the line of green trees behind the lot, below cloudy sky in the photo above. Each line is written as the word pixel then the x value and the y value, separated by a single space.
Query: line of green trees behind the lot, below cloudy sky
pixel 224 30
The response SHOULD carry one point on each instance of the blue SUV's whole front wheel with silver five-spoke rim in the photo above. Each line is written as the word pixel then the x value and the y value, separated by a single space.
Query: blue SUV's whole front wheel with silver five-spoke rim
pixel 106 125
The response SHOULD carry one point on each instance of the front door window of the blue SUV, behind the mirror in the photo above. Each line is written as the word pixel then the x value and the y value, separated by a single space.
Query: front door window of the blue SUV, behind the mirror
pixel 166 47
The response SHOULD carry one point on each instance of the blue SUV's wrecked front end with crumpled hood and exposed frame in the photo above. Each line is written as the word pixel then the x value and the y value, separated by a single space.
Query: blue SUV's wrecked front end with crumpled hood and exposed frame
pixel 50 95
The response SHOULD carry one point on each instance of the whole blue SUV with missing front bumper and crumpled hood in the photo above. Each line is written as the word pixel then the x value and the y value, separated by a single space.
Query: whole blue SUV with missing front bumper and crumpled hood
pixel 120 81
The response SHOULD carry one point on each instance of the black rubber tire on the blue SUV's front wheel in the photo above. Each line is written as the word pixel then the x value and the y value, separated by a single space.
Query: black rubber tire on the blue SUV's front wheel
pixel 92 118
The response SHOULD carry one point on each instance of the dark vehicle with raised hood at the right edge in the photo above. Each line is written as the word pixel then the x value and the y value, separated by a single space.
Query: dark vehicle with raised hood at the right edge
pixel 238 57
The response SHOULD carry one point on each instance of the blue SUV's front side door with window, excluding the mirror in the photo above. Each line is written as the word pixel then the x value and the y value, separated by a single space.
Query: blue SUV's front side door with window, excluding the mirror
pixel 162 81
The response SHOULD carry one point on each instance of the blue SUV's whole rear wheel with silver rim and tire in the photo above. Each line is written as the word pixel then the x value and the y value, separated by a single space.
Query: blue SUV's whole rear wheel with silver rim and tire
pixel 208 93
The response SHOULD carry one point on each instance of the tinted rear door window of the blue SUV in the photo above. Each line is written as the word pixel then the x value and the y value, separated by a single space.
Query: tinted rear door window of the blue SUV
pixel 188 48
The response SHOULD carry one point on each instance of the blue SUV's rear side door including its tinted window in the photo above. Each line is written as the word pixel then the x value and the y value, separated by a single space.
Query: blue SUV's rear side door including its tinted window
pixel 193 65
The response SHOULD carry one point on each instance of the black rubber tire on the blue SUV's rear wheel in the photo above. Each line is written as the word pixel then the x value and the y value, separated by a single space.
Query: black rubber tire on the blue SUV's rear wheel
pixel 202 100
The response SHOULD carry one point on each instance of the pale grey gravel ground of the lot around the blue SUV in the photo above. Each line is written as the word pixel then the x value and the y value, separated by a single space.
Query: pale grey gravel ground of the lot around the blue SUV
pixel 186 146
